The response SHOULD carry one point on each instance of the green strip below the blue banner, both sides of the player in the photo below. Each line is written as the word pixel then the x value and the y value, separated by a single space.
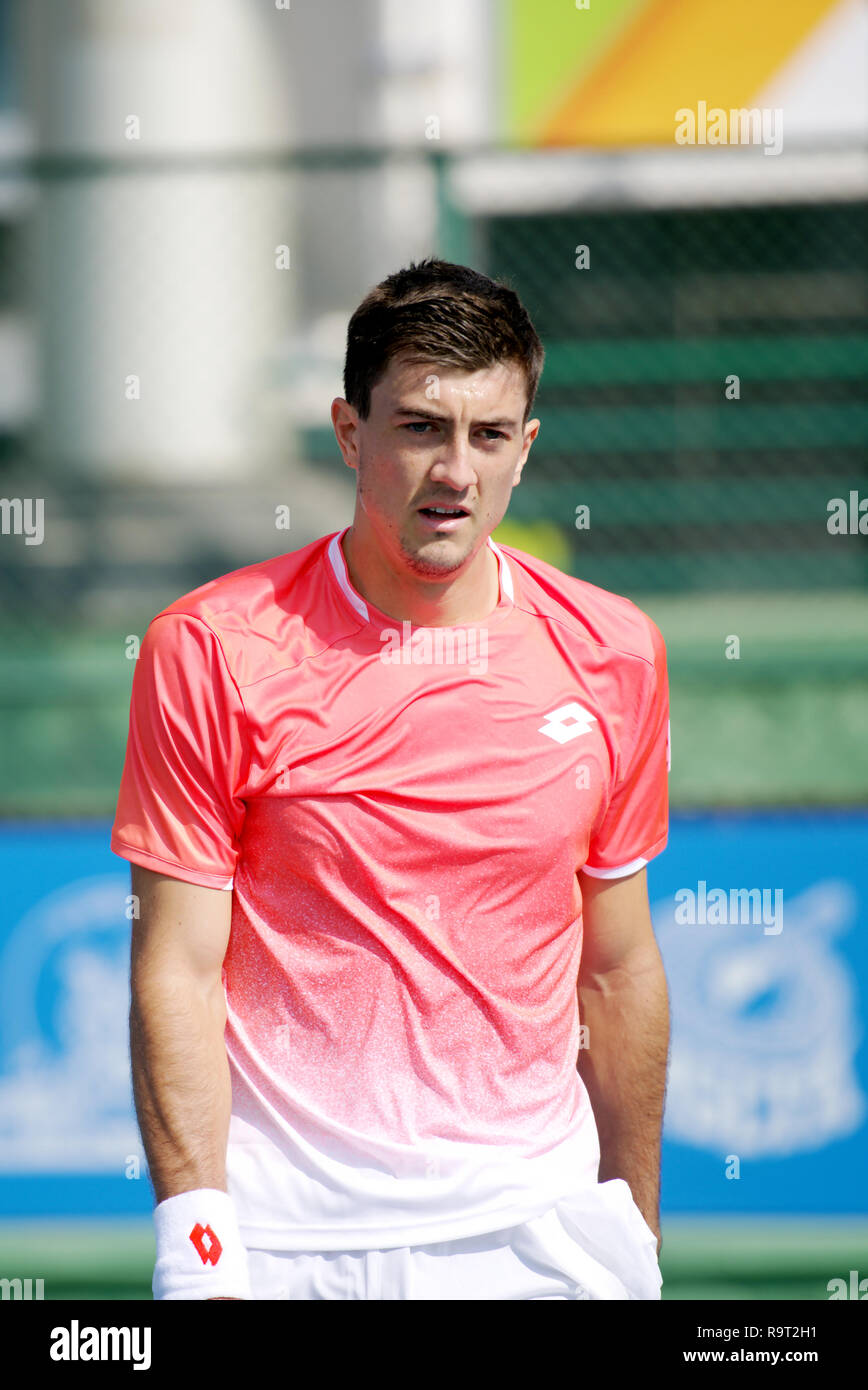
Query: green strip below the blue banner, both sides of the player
pixel 749 1260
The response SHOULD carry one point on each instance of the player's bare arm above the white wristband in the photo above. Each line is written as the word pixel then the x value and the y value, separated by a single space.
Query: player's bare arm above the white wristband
pixel 177 1020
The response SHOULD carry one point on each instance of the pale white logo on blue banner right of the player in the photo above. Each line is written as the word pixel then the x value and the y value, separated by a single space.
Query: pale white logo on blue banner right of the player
pixel 764 1031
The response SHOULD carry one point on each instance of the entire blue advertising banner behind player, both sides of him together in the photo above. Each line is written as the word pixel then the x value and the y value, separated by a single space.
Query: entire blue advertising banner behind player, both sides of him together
pixel 762 921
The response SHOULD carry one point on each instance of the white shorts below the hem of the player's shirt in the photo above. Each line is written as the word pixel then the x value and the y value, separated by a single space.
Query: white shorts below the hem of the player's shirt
pixel 593 1245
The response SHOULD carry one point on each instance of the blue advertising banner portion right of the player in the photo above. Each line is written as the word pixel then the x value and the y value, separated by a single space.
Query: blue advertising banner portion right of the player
pixel 762 921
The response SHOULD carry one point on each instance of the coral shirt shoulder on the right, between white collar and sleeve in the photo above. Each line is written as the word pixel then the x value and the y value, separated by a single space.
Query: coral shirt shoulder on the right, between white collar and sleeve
pixel 593 615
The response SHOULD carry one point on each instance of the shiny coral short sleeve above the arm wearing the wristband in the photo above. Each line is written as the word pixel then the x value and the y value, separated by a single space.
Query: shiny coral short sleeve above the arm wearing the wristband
pixel 180 810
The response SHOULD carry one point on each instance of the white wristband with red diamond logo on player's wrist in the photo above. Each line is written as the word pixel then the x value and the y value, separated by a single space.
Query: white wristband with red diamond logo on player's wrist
pixel 200 1248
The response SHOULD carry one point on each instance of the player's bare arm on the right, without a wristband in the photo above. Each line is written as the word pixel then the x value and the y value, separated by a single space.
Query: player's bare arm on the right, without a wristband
pixel 625 1006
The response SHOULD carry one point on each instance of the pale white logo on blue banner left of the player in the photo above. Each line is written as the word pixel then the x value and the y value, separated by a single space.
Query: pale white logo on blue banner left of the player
pixel 66 1099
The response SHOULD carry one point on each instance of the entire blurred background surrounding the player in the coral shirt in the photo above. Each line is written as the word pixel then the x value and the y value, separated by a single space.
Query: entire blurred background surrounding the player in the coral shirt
pixel 194 198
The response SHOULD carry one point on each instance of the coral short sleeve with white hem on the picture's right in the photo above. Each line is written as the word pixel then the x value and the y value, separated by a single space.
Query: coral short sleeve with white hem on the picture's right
pixel 636 824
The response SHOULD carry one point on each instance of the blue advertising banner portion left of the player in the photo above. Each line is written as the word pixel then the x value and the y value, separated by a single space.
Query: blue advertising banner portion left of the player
pixel 69 1135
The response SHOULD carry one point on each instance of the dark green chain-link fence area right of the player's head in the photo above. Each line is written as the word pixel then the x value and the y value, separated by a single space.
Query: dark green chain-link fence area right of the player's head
pixel 705 393
